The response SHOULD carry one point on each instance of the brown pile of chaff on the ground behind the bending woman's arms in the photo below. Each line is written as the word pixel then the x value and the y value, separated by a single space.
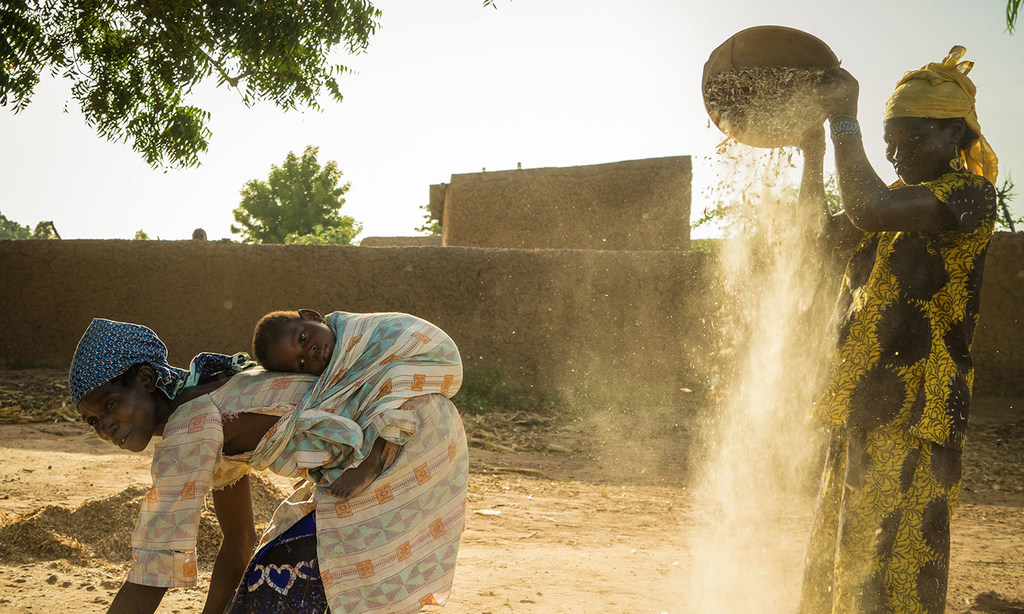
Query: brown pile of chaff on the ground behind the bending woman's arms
pixel 102 529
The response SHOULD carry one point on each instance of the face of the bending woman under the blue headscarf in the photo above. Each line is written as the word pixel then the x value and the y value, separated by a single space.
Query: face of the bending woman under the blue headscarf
pixel 127 416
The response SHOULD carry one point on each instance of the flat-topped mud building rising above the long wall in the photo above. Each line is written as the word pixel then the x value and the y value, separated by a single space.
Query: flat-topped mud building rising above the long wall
pixel 633 205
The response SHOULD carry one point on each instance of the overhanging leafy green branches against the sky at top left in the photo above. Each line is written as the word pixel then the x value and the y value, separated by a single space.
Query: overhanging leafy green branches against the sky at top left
pixel 134 66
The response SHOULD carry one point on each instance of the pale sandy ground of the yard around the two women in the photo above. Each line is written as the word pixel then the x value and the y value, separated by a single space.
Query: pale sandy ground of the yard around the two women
pixel 551 529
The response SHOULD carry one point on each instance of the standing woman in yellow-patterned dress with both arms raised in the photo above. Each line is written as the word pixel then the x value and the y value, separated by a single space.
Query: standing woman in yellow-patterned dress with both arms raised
pixel 899 398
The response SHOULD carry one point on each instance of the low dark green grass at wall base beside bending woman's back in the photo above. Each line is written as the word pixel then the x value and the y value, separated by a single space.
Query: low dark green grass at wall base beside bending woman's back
pixel 488 389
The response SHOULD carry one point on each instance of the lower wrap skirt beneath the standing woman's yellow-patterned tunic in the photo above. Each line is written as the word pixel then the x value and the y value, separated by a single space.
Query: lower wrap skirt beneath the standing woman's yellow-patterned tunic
pixel 894 528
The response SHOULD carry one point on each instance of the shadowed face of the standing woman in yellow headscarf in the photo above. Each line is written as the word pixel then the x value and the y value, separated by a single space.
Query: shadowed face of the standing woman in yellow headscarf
pixel 921 149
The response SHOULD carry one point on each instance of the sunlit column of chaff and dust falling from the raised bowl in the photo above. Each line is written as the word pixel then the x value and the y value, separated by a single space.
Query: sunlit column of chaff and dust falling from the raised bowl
pixel 755 489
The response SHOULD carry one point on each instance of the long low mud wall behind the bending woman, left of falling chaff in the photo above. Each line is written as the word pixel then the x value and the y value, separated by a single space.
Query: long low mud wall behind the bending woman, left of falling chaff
pixel 559 320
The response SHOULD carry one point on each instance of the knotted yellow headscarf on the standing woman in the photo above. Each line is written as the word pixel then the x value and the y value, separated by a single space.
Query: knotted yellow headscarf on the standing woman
pixel 943 92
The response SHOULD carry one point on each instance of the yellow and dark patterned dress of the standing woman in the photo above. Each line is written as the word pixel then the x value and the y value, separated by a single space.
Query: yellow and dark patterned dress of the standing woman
pixel 898 405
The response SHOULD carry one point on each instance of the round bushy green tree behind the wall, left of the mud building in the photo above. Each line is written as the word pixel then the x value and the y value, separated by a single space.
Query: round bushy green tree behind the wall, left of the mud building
pixel 300 199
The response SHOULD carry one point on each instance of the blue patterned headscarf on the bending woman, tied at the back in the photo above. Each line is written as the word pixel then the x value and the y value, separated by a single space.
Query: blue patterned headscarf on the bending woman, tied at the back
pixel 109 349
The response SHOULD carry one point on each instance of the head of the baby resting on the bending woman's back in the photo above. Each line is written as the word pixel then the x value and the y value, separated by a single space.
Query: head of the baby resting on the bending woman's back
pixel 293 341
